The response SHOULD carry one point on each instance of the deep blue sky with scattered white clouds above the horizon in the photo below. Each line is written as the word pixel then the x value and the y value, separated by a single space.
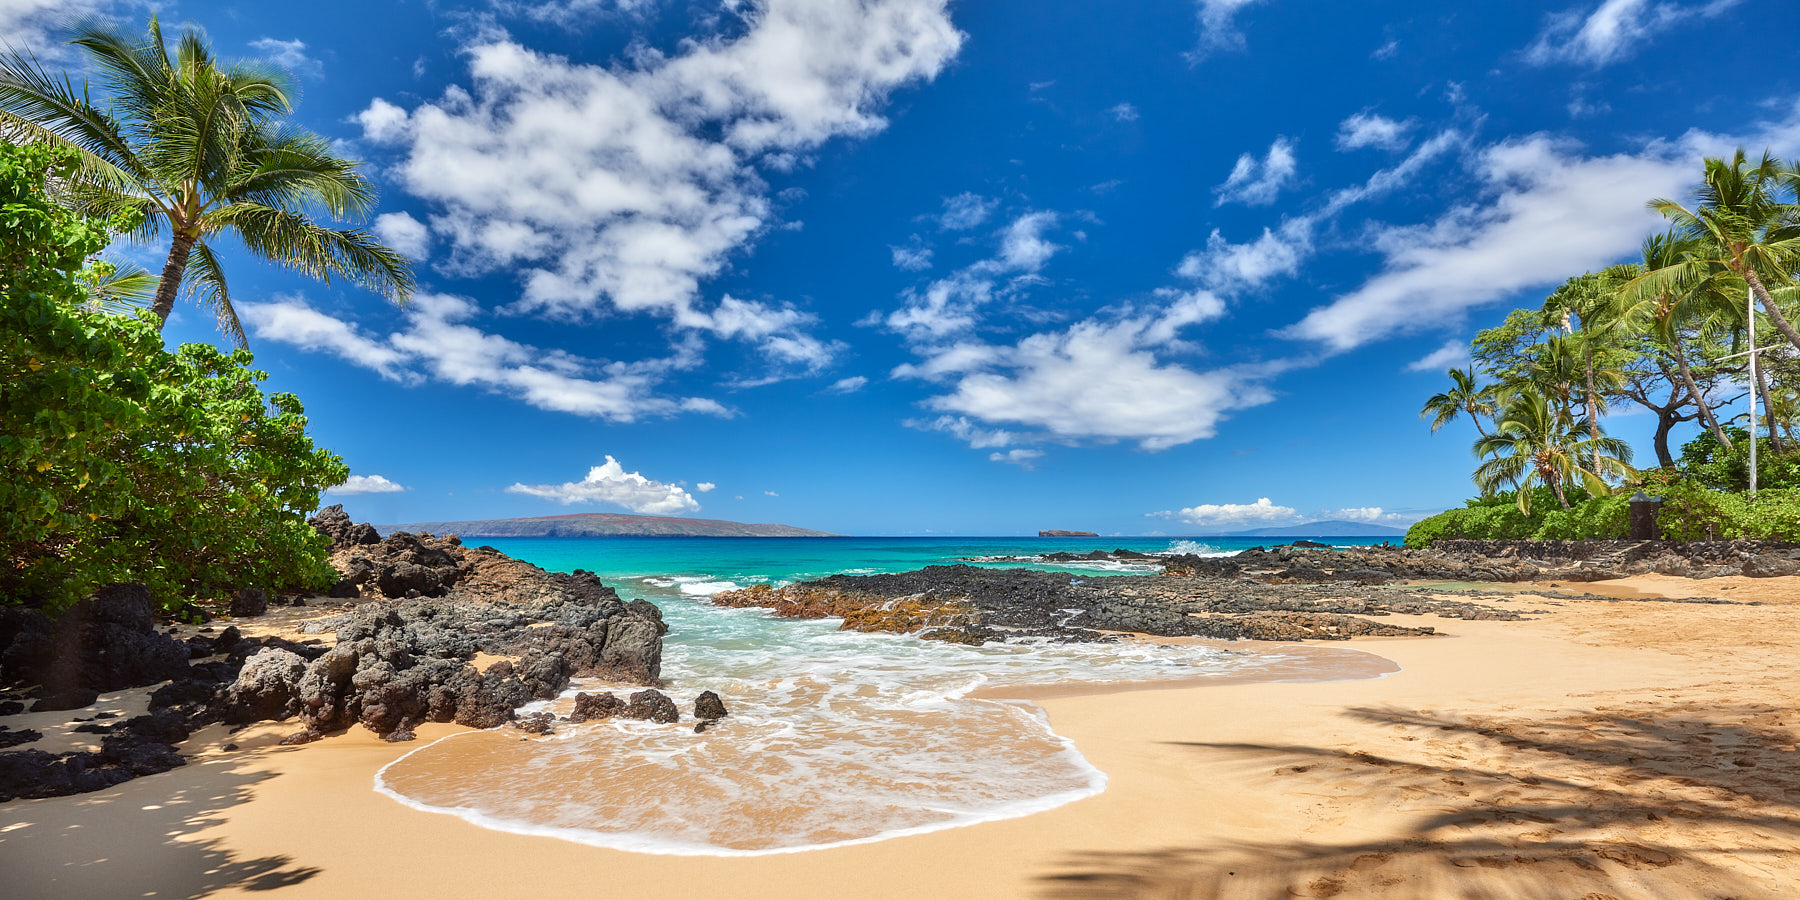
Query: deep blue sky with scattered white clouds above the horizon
pixel 906 267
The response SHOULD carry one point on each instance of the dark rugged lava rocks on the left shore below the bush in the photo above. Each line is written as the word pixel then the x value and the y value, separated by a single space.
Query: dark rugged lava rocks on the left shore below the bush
pixel 417 615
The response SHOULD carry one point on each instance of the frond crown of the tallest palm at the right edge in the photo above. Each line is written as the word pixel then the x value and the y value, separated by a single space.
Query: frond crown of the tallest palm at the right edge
pixel 1740 226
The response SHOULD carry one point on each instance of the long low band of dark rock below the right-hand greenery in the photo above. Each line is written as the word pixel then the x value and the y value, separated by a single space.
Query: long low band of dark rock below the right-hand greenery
pixel 1500 561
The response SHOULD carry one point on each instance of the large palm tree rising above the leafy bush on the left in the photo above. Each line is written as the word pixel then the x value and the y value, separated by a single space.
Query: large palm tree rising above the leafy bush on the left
pixel 184 143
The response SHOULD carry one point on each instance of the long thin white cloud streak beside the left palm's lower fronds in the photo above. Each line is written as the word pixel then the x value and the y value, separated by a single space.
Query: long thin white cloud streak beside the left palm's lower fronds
pixel 440 345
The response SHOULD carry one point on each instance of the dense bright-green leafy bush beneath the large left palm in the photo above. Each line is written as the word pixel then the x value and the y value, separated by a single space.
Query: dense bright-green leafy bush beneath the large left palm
pixel 121 460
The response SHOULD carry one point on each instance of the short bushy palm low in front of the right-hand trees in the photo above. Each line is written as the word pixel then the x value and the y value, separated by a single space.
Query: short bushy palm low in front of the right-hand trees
pixel 1534 442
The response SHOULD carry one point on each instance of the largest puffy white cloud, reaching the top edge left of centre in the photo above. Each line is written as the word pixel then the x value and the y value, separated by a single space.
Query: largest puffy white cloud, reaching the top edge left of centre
pixel 627 186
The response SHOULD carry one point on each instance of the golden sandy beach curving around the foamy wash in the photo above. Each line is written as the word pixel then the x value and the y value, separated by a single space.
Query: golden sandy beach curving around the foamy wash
pixel 1605 750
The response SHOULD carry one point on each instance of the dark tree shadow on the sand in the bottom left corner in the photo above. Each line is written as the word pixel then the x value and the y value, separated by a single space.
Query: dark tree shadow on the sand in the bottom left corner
pixel 136 840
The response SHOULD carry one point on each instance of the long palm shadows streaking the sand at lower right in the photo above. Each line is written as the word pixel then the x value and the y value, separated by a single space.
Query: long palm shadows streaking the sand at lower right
pixel 1639 800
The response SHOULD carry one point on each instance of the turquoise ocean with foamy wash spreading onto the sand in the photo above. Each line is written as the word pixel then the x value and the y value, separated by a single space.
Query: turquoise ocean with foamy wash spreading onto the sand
pixel 834 737
